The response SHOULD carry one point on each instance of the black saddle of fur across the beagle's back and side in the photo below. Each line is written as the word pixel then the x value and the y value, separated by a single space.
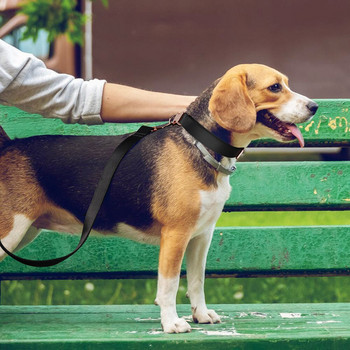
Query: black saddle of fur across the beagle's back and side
pixel 69 168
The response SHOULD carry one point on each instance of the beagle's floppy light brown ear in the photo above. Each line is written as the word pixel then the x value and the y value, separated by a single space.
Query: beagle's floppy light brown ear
pixel 230 104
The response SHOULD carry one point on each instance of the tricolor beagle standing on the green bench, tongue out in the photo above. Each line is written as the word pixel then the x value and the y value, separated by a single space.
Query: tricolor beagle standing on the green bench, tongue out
pixel 164 191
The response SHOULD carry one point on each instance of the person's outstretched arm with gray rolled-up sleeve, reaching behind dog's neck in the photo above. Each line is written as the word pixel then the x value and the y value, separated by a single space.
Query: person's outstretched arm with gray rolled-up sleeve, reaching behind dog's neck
pixel 26 83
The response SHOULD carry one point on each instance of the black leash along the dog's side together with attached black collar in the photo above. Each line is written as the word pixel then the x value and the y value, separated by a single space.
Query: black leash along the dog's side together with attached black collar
pixel 200 133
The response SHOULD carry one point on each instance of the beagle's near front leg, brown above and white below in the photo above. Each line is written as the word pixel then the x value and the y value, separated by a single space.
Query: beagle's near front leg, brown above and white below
pixel 172 248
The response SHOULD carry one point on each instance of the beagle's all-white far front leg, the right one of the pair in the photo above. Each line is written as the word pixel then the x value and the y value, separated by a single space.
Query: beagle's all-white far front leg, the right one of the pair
pixel 196 256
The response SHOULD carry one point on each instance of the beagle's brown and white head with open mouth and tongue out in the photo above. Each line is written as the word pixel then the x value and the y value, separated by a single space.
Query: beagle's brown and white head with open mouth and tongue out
pixel 255 101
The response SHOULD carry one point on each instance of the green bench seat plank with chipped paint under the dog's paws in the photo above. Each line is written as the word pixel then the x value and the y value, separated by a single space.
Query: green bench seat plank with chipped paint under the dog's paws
pixel 268 326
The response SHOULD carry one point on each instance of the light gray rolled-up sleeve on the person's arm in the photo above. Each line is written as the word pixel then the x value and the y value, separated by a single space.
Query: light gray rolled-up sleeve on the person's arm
pixel 26 83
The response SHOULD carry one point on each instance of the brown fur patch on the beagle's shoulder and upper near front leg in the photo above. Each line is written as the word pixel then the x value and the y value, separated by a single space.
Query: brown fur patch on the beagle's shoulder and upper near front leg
pixel 175 205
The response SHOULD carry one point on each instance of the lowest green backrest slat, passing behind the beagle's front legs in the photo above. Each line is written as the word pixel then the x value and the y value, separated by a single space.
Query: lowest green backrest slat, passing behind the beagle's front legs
pixel 235 251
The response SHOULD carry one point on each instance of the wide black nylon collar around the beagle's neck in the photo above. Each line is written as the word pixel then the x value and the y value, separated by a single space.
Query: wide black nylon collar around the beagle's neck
pixel 204 136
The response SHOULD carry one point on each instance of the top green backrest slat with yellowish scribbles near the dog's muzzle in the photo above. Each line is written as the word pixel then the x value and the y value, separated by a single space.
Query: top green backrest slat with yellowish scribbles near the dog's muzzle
pixel 330 126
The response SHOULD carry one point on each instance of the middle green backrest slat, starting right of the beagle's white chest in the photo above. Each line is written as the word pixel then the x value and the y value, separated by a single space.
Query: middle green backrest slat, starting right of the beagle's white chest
pixel 290 186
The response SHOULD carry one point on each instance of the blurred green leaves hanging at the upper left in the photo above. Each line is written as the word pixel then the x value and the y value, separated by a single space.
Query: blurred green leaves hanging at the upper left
pixel 56 17
